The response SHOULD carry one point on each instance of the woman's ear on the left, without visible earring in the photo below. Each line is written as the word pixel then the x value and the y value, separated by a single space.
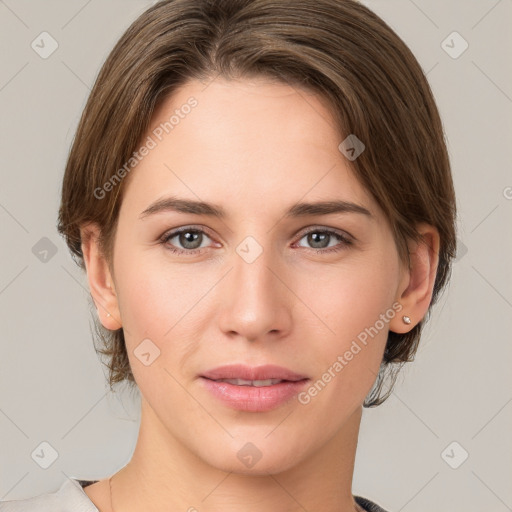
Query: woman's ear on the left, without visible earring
pixel 101 284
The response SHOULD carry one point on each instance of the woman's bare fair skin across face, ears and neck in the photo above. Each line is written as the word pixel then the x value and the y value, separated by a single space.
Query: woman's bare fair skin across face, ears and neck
pixel 255 148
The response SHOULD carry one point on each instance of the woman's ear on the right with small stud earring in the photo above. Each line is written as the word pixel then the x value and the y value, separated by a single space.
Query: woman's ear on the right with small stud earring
pixel 417 282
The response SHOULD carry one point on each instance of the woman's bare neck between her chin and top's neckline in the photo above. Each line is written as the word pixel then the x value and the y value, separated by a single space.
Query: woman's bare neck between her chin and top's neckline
pixel 164 475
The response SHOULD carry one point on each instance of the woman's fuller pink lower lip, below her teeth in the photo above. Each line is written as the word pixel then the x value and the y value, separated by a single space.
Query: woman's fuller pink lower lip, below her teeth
pixel 252 398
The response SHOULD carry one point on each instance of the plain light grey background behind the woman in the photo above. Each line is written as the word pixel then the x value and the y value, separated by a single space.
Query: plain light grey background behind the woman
pixel 52 386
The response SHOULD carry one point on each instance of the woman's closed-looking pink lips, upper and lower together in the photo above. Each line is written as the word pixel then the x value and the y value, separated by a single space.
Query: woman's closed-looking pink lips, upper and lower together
pixel 251 398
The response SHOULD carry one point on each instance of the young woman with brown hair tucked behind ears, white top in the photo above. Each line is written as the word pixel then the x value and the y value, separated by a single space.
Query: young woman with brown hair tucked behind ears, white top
pixel 261 197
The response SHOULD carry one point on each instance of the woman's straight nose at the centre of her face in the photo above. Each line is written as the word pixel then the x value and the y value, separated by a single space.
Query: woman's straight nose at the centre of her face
pixel 255 300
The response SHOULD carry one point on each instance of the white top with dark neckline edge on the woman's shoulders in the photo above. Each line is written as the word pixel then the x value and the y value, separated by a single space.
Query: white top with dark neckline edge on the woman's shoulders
pixel 71 497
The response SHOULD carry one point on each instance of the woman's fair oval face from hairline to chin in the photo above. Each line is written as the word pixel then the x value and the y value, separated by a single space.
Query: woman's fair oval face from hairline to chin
pixel 311 291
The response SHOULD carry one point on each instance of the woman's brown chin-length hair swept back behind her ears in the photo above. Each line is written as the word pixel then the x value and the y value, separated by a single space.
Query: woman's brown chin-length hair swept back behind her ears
pixel 338 49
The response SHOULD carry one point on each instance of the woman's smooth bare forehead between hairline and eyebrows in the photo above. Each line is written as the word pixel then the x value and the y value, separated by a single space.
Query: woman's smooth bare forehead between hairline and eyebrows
pixel 250 142
